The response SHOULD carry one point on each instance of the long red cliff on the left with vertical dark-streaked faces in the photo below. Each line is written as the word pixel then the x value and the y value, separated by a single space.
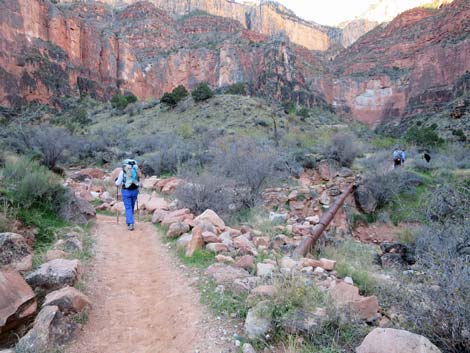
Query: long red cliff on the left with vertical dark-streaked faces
pixel 48 52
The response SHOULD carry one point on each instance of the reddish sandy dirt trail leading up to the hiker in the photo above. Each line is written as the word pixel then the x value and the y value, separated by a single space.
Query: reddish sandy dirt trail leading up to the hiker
pixel 142 303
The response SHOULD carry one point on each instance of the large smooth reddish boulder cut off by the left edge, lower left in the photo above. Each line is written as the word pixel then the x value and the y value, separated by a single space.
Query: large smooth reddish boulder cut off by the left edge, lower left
pixel 17 300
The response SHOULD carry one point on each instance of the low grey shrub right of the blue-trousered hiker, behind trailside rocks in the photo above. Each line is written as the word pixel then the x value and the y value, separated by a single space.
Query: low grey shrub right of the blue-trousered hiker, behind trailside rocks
pixel 205 192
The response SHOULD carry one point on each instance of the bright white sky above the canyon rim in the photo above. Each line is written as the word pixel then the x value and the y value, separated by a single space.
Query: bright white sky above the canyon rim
pixel 327 12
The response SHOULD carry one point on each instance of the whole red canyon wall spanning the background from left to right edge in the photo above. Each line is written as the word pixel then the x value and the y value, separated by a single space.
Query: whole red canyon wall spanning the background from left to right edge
pixel 48 51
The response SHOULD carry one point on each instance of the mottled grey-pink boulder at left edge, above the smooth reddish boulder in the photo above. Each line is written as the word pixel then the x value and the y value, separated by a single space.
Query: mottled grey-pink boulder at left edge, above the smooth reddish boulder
pixel 15 254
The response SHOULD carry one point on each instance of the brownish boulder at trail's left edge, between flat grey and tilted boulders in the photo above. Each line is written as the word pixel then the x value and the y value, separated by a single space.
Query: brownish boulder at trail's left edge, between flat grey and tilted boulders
pixel 68 300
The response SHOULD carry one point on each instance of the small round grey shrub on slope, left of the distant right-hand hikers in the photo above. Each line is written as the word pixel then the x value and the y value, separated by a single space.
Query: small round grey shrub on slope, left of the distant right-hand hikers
pixel 343 148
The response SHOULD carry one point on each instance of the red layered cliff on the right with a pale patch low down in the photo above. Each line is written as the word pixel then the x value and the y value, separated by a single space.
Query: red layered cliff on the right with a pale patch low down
pixel 405 68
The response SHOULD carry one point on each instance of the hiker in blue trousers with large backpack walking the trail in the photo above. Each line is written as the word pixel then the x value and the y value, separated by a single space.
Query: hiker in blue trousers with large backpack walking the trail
pixel 129 178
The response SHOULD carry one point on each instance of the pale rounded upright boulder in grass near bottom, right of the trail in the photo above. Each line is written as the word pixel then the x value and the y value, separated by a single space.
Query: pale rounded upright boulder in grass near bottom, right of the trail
pixel 258 321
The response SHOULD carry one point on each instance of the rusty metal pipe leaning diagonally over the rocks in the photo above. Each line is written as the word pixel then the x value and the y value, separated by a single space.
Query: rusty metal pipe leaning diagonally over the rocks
pixel 325 220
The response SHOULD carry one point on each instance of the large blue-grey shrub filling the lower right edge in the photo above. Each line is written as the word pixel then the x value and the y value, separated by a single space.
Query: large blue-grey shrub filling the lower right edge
pixel 441 297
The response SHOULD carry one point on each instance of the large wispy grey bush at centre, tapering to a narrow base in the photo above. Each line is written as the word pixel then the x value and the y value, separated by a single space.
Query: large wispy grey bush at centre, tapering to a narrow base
pixel 249 163
